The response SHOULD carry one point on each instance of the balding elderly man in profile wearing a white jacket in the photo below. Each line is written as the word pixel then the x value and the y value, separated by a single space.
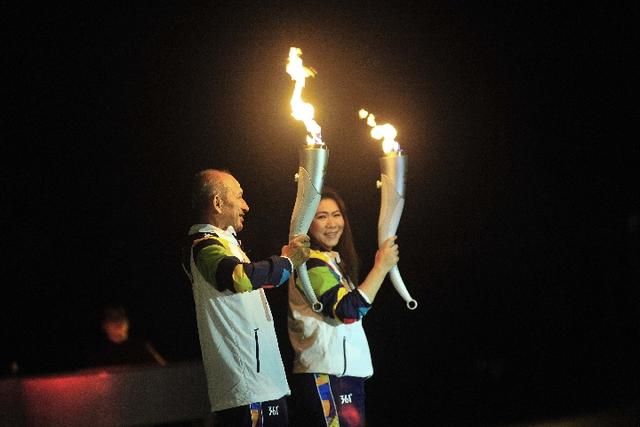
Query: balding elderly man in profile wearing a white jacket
pixel 241 358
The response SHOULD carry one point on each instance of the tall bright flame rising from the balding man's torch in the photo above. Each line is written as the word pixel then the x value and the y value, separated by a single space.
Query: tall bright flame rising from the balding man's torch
pixel 301 110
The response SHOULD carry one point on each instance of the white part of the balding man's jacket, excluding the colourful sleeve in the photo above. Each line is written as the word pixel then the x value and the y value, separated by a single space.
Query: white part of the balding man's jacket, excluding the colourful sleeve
pixel 240 351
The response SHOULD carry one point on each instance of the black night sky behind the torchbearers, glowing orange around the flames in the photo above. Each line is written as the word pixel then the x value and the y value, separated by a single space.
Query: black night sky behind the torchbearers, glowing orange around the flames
pixel 519 237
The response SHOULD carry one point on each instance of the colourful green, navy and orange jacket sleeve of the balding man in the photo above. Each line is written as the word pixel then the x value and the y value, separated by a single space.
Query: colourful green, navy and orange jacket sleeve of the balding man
pixel 228 272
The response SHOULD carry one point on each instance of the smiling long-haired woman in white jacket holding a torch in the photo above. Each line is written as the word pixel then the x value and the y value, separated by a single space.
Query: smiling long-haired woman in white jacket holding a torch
pixel 332 357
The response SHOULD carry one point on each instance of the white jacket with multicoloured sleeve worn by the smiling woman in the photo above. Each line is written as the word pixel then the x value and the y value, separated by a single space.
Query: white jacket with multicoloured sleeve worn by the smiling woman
pixel 332 342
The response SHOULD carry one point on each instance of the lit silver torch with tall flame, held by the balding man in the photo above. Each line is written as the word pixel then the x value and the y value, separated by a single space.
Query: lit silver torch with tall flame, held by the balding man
pixel 312 166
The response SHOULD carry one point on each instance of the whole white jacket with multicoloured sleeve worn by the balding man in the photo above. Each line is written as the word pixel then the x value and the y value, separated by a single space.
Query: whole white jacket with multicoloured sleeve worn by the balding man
pixel 240 351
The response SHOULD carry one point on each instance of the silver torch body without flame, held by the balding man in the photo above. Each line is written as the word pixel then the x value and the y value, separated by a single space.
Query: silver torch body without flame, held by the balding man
pixel 310 177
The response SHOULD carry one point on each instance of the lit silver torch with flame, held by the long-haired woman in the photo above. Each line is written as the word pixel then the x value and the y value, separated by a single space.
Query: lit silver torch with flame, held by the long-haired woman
pixel 393 169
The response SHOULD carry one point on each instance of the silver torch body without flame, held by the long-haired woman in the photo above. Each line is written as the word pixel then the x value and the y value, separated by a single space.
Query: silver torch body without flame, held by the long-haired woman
pixel 393 168
